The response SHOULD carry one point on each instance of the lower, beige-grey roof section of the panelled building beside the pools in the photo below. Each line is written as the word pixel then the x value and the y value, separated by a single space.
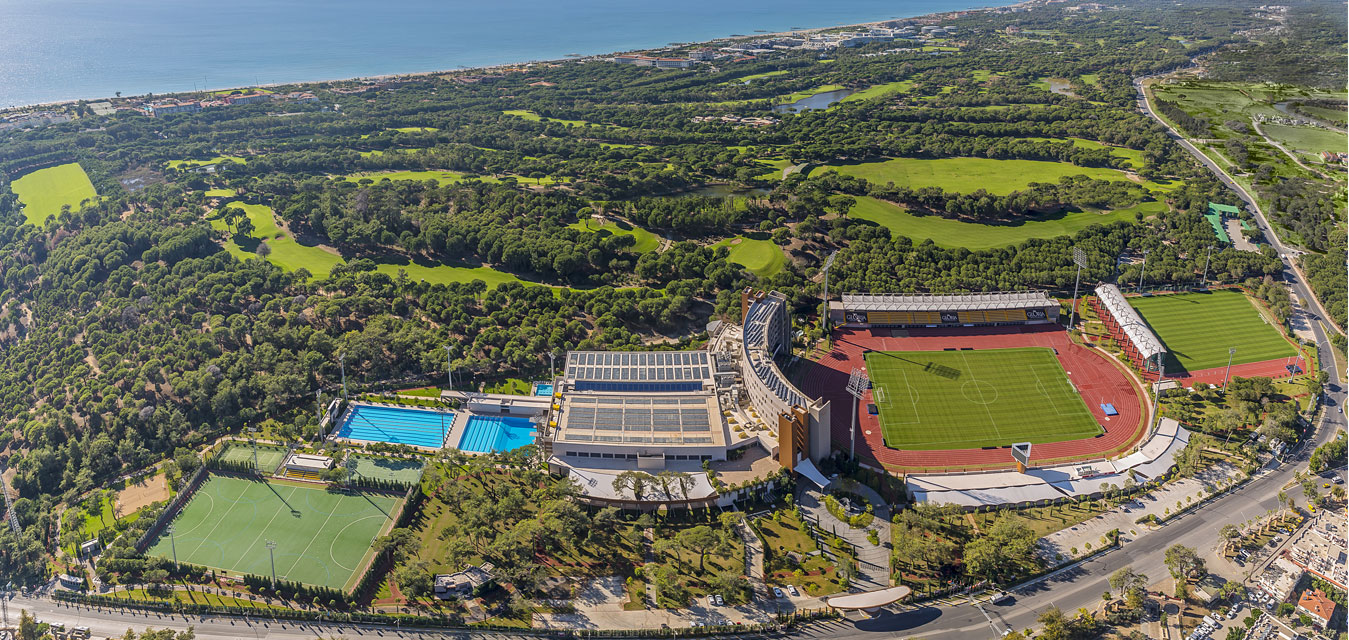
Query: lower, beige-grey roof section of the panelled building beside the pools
pixel 614 419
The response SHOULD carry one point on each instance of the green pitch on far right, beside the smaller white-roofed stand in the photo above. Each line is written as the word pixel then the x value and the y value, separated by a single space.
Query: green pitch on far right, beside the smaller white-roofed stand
pixel 1197 330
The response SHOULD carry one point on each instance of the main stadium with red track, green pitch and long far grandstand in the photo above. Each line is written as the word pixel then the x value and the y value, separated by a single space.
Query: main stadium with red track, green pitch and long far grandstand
pixel 954 381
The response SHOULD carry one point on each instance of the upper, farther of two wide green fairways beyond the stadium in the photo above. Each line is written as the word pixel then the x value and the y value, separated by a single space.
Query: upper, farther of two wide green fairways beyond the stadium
pixel 969 175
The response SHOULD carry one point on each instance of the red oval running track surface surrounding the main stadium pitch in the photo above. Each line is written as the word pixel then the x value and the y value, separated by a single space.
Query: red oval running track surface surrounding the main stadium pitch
pixel 1096 377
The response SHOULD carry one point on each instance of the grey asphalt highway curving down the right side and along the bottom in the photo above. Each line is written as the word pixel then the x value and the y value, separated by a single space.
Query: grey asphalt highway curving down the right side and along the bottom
pixel 1079 587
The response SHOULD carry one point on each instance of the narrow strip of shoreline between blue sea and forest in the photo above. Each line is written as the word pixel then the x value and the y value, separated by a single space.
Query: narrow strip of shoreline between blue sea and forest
pixel 515 64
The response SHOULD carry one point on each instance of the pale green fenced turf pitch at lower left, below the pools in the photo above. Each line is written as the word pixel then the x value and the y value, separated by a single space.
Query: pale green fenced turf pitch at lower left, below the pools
pixel 320 537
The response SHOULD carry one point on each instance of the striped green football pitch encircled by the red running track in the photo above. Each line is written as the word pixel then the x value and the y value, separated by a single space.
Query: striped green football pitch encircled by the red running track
pixel 933 400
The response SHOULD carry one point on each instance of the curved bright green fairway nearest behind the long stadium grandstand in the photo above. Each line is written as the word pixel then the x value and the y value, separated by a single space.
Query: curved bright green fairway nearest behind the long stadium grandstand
pixel 973 236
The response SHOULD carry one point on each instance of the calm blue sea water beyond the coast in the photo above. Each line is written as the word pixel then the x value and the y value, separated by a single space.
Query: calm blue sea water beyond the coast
pixel 87 49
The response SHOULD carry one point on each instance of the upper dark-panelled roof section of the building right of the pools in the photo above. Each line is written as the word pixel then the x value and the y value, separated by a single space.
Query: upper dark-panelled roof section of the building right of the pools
pixel 640 367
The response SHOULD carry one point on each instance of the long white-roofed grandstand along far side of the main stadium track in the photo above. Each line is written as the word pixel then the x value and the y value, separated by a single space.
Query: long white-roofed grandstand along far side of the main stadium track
pixel 971 310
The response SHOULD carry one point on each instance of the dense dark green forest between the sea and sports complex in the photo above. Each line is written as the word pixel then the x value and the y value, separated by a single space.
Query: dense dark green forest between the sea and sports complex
pixel 159 317
